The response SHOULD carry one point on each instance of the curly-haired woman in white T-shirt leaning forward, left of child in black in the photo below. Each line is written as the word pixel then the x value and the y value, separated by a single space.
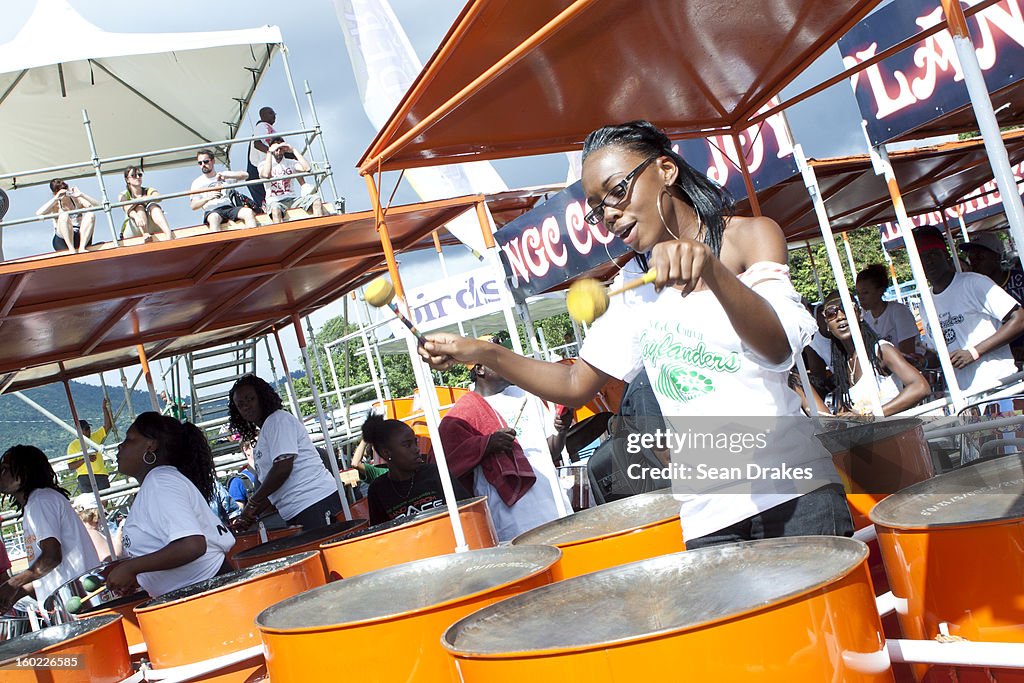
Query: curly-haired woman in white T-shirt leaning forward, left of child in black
pixel 292 475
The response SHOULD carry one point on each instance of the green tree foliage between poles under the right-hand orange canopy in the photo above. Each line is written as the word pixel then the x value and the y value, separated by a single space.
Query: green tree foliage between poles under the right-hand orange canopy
pixel 867 247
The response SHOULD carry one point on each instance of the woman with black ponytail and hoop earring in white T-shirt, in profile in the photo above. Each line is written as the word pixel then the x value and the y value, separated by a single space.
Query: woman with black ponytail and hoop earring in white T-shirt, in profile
pixel 172 536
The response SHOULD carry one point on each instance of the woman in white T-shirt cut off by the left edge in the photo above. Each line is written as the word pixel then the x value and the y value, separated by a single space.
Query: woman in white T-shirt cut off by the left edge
pixel 59 545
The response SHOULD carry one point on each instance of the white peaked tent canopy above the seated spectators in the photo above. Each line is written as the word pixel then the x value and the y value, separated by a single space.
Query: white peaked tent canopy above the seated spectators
pixel 143 92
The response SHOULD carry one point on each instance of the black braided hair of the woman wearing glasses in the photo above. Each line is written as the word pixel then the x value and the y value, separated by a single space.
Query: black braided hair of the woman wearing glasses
pixel 712 203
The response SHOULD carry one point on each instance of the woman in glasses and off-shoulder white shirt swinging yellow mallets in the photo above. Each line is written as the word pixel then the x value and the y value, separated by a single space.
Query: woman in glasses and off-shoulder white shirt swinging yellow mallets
pixel 717 334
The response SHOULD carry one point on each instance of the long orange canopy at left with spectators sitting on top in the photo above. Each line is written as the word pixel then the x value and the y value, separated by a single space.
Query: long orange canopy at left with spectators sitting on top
pixel 92 311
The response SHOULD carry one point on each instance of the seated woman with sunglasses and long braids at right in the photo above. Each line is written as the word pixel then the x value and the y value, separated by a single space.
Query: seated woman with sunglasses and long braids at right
pixel 901 386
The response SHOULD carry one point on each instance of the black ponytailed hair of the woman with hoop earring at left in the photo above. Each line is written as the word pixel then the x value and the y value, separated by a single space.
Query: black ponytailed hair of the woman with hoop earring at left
pixel 182 445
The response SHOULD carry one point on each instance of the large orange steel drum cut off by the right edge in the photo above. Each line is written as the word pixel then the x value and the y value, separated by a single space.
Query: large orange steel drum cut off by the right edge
pixel 954 549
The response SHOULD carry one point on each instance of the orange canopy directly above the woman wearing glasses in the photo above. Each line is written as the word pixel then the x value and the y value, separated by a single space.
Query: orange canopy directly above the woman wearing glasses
pixel 515 79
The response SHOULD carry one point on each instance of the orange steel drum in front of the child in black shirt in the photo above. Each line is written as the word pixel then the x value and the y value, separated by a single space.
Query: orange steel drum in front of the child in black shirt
pixel 408 539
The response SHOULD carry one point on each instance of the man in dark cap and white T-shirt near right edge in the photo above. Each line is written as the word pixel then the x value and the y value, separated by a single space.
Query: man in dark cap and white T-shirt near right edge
pixel 978 318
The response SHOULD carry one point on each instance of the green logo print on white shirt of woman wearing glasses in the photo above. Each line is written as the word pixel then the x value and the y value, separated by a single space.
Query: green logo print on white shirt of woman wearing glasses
pixel 677 378
